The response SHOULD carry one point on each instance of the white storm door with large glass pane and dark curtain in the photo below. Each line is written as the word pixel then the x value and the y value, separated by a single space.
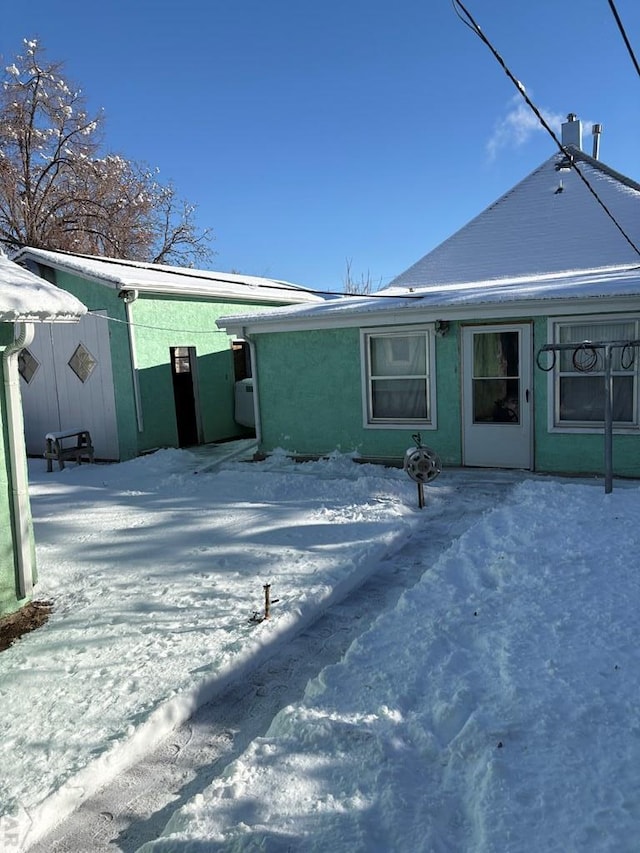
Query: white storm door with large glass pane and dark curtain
pixel 497 402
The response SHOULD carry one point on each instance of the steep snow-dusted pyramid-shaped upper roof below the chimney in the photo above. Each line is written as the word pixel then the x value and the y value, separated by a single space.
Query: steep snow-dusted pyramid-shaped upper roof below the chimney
pixel 549 222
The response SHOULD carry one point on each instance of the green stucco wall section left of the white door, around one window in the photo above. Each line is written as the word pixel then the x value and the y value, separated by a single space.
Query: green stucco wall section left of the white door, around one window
pixel 310 390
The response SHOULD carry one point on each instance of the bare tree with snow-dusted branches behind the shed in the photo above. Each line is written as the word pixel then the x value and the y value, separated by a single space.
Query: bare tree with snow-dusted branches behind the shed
pixel 58 190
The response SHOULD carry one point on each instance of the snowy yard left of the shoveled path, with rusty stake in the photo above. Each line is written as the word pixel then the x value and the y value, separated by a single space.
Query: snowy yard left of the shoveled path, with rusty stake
pixel 156 567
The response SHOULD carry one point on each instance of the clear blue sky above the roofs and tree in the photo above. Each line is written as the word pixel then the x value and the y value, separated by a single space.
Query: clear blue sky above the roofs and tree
pixel 308 133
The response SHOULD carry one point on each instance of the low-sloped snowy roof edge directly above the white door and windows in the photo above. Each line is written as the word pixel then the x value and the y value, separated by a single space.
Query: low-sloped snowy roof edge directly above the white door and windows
pixel 534 294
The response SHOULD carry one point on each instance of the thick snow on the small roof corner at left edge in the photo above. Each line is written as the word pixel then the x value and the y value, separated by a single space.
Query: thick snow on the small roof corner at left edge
pixel 28 298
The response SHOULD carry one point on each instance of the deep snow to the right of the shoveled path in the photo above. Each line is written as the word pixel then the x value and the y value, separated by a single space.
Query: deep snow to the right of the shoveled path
pixel 494 709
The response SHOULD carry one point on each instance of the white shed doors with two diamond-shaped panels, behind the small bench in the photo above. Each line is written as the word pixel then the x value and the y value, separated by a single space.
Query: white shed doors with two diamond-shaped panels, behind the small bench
pixel 67 383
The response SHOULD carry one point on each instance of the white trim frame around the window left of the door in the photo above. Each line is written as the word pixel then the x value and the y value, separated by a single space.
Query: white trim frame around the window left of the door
pixel 428 329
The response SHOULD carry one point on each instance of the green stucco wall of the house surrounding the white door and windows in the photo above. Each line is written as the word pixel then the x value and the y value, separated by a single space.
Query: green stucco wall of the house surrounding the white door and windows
pixel 310 392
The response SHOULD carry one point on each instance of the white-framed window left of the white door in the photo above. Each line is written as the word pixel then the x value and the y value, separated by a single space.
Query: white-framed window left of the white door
pixel 398 377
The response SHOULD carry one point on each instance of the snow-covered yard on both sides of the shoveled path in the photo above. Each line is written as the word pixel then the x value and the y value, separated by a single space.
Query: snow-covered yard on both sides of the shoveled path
pixel 494 709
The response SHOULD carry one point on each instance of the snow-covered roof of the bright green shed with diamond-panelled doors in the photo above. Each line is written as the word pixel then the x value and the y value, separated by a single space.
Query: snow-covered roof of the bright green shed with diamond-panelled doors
pixel 160 278
